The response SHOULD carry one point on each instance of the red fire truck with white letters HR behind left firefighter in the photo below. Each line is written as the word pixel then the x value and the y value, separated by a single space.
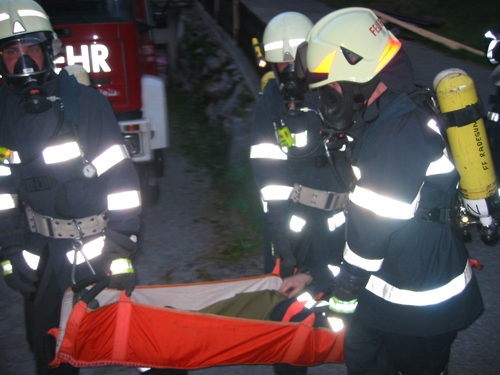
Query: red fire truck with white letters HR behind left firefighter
pixel 113 41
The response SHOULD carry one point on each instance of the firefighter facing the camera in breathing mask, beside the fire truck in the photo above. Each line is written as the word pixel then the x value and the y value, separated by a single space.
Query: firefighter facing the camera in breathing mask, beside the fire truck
pixel 67 184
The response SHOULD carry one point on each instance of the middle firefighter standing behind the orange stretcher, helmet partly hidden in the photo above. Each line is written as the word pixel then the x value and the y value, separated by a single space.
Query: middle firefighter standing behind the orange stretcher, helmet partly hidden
pixel 302 176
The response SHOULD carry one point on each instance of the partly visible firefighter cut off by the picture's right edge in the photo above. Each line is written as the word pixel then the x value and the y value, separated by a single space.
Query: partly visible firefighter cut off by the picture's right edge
pixel 492 50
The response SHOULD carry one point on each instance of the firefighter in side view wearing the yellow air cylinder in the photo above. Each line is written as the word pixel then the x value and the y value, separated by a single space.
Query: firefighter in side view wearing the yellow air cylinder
pixel 405 283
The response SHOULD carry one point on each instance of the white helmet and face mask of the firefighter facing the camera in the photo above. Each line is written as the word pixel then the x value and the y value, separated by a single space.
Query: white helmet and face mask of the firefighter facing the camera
pixel 25 23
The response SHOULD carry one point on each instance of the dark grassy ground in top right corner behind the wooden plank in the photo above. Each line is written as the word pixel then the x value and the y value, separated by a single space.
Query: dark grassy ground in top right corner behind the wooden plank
pixel 462 21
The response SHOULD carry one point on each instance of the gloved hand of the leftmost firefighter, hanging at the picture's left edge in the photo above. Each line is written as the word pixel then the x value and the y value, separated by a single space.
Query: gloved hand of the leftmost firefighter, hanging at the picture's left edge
pixel 18 275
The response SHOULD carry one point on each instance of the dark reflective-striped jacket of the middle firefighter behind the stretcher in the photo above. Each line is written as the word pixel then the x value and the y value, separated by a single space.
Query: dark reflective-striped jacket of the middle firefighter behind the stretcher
pixel 321 239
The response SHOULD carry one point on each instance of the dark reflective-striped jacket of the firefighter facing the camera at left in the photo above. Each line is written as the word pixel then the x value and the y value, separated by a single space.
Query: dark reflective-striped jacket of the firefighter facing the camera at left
pixel 57 190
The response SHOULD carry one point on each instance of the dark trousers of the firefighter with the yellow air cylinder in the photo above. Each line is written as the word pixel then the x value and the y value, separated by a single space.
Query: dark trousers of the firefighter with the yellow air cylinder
pixel 374 352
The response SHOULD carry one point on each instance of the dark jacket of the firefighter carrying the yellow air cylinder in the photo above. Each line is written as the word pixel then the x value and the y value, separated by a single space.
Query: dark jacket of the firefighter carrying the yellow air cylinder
pixel 421 282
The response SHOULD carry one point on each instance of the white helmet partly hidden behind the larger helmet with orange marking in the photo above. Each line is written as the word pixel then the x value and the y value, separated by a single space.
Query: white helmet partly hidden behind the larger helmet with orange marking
pixel 283 34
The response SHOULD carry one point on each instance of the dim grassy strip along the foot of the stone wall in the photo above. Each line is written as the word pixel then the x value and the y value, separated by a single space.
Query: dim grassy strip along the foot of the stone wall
pixel 235 209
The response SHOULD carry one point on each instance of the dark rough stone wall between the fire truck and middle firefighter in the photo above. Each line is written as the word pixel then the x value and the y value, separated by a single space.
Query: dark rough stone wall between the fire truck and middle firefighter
pixel 209 65
